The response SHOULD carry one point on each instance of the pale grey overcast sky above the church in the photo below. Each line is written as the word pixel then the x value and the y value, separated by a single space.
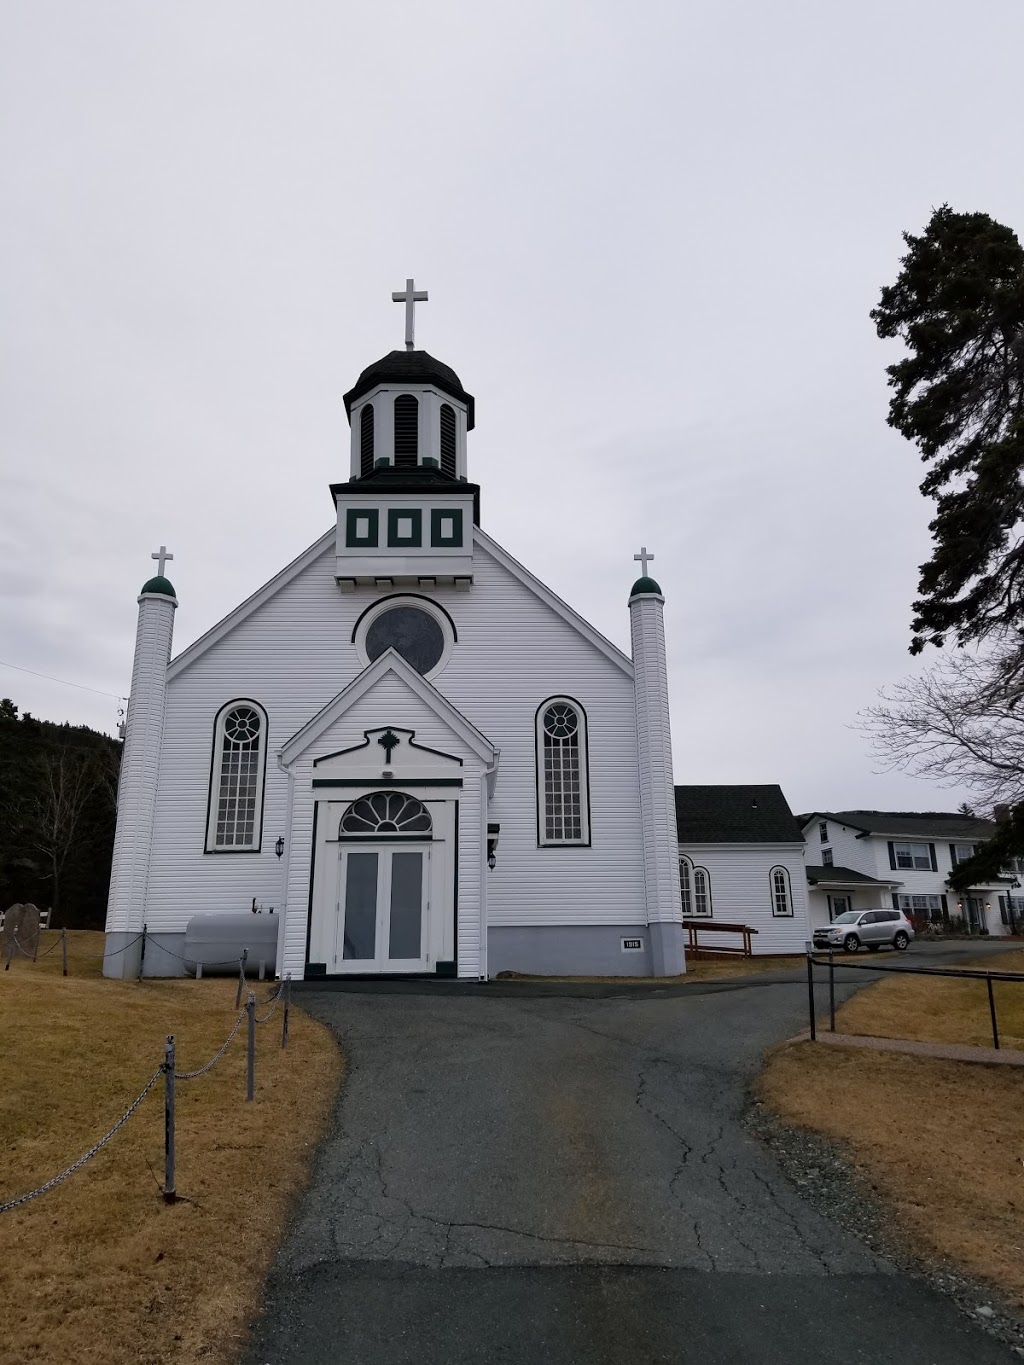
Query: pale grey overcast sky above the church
pixel 652 235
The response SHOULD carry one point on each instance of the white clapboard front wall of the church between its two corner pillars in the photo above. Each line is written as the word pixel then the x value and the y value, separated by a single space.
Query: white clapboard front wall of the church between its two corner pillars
pixel 294 653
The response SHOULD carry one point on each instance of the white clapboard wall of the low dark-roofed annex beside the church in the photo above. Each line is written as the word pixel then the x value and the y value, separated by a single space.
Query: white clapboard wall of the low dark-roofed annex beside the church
pixel 742 892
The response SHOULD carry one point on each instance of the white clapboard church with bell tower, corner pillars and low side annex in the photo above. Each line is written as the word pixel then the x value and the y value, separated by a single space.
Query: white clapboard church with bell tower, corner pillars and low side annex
pixel 420 757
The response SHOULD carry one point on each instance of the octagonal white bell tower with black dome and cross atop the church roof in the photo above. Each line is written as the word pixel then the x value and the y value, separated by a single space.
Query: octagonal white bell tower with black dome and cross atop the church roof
pixel 408 513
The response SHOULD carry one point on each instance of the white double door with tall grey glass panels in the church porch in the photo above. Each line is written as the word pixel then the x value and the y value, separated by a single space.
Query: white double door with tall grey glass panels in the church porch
pixel 383 908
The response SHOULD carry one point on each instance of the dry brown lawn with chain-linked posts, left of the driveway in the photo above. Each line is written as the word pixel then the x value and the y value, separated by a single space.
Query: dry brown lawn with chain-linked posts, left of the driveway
pixel 100 1270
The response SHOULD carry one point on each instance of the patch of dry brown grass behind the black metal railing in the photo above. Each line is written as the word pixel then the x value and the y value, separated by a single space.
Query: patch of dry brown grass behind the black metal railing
pixel 933 1009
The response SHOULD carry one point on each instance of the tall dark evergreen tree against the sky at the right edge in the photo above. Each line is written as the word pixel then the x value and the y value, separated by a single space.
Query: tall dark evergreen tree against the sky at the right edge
pixel 959 395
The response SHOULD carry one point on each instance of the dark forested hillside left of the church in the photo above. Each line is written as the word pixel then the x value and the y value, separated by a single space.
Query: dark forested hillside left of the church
pixel 58 803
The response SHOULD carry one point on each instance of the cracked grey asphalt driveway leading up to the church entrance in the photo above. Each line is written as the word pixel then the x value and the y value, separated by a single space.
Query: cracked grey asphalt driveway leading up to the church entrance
pixel 554 1180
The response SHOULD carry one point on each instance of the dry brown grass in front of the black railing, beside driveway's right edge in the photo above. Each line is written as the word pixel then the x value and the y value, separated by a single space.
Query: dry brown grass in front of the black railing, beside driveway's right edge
pixel 941 1142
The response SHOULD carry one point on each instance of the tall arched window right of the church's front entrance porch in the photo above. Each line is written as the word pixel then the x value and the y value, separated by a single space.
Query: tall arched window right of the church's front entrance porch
pixel 563 816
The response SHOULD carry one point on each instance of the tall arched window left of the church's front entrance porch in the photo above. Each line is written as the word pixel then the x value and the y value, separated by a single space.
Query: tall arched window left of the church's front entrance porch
pixel 237 780
